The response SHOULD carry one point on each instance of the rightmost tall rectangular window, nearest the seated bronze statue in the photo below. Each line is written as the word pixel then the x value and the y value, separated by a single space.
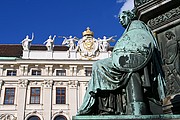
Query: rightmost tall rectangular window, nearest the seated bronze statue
pixel 61 95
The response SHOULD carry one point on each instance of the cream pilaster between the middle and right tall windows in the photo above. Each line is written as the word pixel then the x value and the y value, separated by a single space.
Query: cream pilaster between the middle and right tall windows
pixel 47 99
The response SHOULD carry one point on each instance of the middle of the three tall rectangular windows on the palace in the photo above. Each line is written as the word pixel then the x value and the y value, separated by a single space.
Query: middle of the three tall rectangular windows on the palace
pixel 35 95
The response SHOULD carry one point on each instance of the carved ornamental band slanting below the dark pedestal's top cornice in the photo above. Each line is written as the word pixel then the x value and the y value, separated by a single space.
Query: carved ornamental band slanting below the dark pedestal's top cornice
pixel 164 17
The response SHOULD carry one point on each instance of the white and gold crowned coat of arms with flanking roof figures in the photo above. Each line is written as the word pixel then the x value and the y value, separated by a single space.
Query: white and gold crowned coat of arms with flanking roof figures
pixel 88 46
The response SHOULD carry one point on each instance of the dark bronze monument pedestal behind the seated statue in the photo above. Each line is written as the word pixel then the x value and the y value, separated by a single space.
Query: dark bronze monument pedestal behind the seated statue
pixel 162 16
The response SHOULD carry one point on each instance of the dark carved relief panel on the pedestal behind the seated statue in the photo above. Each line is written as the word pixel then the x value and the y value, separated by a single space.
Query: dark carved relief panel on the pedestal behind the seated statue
pixel 169 42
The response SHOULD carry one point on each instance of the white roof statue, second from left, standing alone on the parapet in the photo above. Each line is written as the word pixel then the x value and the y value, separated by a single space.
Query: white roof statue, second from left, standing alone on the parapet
pixel 50 43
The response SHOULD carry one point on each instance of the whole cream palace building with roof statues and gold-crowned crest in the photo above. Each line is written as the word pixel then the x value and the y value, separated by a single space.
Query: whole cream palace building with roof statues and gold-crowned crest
pixel 47 82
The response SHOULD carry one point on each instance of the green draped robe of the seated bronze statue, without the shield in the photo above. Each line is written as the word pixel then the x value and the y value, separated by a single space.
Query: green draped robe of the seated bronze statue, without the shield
pixel 108 76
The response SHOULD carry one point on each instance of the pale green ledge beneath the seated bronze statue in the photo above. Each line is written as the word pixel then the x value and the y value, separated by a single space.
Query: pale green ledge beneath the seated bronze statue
pixel 127 117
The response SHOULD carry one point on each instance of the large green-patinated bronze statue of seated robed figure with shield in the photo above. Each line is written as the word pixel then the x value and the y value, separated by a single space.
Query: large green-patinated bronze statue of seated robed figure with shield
pixel 127 81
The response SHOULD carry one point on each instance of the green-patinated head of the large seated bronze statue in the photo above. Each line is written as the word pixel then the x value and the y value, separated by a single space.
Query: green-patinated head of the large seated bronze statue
pixel 126 17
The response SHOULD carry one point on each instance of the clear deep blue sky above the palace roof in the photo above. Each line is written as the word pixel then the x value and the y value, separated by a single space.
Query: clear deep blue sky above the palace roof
pixel 19 18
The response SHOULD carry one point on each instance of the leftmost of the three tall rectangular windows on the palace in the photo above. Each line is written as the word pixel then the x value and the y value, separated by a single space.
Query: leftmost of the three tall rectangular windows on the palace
pixel 9 96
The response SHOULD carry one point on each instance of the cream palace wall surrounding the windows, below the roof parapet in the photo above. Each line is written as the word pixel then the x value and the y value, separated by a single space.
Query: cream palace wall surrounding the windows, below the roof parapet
pixel 75 83
